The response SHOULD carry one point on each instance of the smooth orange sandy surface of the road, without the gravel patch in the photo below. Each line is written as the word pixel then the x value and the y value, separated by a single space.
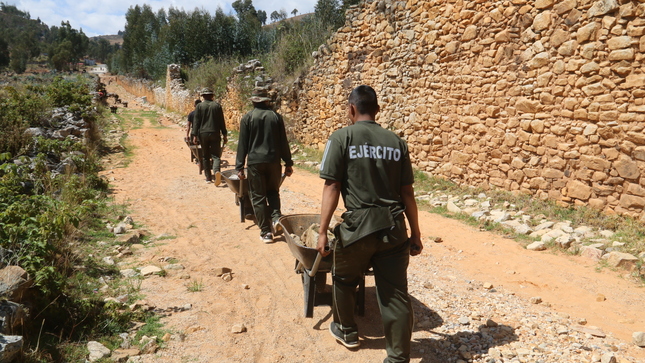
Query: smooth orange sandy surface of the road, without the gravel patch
pixel 166 194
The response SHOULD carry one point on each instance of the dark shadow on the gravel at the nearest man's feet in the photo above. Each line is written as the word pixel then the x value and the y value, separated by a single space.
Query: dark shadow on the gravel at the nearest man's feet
pixel 478 336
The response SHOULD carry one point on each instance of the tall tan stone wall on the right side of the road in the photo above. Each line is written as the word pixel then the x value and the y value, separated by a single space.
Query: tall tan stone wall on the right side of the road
pixel 543 97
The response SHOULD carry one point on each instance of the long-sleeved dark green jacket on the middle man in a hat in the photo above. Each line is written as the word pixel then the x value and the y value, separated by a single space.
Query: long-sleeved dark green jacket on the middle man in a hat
pixel 263 139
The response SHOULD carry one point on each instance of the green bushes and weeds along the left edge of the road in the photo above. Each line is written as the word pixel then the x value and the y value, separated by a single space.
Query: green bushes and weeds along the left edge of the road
pixel 53 224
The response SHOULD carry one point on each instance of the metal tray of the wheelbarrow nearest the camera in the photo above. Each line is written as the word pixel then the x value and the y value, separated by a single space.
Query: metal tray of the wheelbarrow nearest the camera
pixel 298 224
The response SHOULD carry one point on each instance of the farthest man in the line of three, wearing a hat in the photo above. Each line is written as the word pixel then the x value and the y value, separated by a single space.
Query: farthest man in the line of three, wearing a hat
pixel 208 124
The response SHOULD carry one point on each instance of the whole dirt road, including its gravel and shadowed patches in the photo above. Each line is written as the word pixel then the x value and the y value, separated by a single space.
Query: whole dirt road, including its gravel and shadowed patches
pixel 471 293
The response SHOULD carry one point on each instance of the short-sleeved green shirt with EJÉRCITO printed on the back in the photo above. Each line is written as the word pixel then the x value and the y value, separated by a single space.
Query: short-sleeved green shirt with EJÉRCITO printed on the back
pixel 371 163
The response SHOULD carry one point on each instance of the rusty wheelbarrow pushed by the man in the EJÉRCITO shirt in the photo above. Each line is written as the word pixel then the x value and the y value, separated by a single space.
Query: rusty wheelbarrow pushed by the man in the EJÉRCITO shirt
pixel 310 264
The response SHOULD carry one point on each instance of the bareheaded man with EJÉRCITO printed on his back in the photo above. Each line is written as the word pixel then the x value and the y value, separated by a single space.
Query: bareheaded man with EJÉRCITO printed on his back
pixel 370 167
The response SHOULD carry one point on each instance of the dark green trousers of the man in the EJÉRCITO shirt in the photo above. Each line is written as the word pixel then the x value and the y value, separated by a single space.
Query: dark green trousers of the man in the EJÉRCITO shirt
pixel 390 264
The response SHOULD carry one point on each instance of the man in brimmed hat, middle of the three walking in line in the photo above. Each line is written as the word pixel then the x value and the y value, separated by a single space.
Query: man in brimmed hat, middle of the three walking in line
pixel 263 143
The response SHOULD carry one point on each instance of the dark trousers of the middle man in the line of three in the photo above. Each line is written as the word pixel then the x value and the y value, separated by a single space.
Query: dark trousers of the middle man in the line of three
pixel 264 186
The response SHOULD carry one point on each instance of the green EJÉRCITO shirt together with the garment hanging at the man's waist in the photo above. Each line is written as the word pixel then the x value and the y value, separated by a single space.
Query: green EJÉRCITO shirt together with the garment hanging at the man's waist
pixel 372 164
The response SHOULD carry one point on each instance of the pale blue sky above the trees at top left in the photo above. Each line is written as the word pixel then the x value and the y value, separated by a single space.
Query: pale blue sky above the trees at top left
pixel 106 17
